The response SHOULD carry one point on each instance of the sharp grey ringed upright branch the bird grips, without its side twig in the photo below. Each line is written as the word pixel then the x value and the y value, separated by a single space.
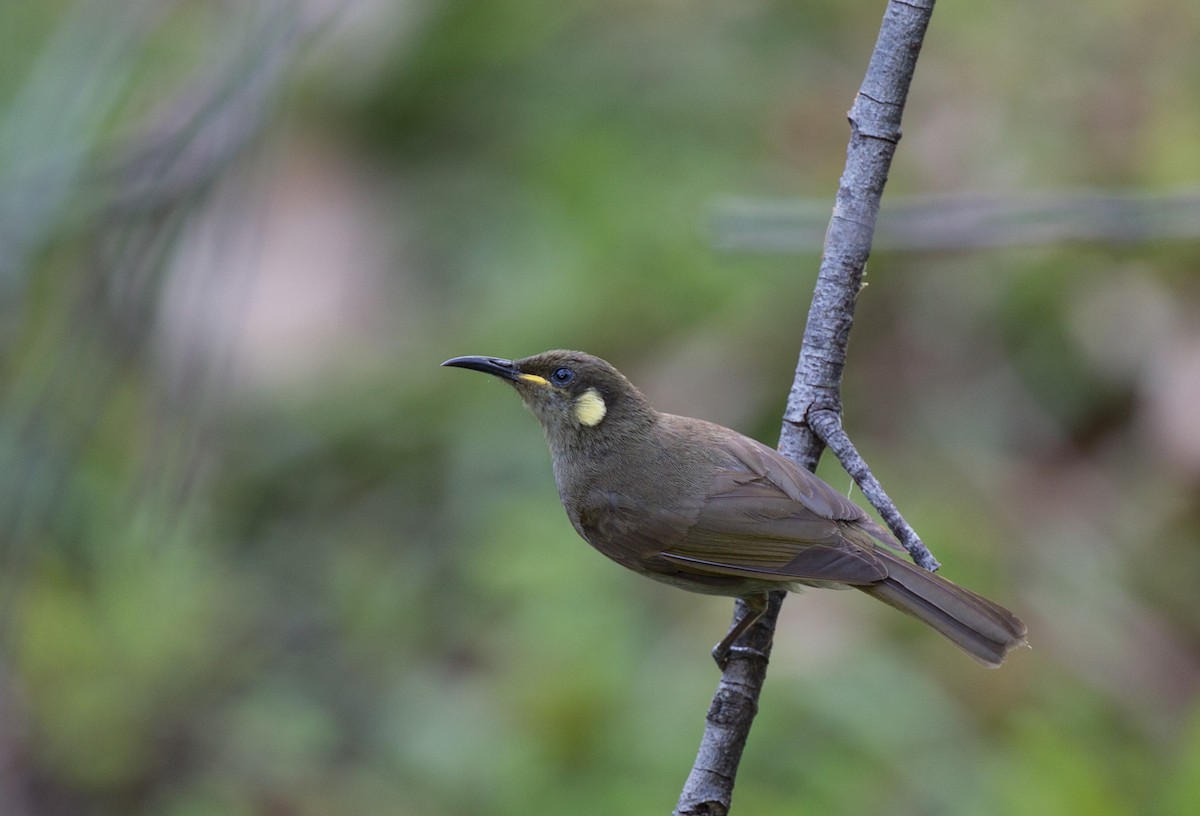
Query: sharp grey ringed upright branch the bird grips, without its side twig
pixel 875 131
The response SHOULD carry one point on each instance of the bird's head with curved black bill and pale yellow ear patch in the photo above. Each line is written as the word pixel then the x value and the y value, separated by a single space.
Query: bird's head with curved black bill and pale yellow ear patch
pixel 579 399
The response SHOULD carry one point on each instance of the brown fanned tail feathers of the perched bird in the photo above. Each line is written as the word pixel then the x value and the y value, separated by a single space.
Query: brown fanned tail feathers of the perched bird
pixel 983 629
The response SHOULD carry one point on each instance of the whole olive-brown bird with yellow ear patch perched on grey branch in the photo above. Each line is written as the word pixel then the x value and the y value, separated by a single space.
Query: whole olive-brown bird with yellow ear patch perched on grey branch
pixel 704 508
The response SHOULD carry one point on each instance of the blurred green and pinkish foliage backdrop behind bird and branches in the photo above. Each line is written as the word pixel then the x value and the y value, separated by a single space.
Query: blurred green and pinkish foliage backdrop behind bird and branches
pixel 260 555
